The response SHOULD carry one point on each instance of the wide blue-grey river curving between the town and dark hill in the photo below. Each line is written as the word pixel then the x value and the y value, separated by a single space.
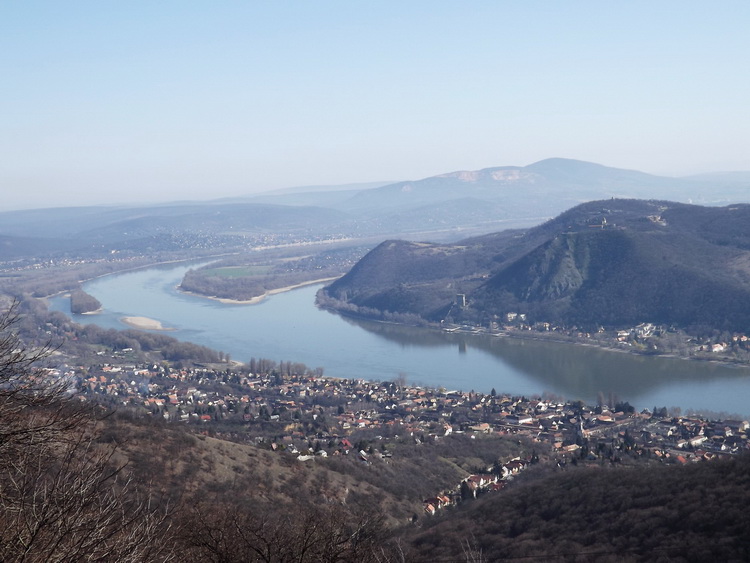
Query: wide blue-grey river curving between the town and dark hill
pixel 288 326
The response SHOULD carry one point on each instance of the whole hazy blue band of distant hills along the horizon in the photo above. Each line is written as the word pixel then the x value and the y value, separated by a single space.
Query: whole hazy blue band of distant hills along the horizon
pixel 444 207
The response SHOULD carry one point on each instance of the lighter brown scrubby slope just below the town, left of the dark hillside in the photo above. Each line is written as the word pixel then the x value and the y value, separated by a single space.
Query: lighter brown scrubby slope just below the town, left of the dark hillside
pixel 225 462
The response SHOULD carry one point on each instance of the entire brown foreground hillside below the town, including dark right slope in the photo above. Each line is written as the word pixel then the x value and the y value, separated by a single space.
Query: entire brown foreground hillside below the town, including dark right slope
pixel 228 501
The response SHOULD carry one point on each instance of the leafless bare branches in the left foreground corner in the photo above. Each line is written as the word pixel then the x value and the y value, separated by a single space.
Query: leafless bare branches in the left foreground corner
pixel 62 497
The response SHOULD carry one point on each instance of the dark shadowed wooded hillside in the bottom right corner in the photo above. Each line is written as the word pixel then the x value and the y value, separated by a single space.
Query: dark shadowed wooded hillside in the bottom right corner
pixel 649 514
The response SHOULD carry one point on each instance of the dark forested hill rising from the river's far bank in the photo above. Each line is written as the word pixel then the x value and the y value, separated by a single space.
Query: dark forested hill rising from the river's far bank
pixel 613 262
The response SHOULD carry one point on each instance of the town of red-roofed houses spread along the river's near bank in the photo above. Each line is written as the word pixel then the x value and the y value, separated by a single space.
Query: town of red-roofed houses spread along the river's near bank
pixel 298 412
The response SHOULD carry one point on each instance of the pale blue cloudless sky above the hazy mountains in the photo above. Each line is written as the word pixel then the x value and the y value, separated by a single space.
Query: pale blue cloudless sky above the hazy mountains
pixel 116 102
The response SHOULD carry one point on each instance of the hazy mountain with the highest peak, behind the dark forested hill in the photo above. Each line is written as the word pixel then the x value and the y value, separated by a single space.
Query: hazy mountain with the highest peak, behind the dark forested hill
pixel 549 187
